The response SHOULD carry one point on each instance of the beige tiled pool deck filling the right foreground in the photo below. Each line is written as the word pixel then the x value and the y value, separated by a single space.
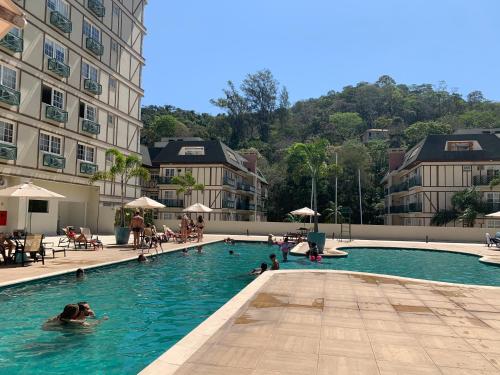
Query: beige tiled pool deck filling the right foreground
pixel 306 323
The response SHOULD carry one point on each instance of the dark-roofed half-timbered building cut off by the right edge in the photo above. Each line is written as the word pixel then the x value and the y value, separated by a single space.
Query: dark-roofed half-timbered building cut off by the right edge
pixel 423 180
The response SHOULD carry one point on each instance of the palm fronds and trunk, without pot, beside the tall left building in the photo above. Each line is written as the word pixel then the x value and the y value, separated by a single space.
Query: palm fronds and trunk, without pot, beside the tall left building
pixel 124 168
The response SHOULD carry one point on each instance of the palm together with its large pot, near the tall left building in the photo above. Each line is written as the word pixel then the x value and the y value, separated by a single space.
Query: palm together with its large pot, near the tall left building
pixel 124 168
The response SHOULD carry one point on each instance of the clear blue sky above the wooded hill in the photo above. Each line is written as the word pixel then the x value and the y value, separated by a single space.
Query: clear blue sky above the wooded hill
pixel 314 46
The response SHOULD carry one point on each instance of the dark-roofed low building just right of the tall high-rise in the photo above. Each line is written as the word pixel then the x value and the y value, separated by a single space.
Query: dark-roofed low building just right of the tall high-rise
pixel 234 187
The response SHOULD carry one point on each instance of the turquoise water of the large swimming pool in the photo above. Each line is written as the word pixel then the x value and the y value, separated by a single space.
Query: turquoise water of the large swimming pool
pixel 151 306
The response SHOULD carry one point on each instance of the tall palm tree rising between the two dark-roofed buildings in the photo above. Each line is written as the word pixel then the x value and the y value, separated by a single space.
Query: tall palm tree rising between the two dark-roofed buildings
pixel 314 158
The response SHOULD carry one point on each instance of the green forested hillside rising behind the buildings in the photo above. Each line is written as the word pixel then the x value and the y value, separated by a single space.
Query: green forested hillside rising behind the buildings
pixel 259 114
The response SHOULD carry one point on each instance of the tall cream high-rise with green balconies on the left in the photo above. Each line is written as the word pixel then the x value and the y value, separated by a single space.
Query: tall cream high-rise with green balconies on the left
pixel 70 88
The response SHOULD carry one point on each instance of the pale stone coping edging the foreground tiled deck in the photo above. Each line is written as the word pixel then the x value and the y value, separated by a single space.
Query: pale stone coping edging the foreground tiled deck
pixel 177 355
